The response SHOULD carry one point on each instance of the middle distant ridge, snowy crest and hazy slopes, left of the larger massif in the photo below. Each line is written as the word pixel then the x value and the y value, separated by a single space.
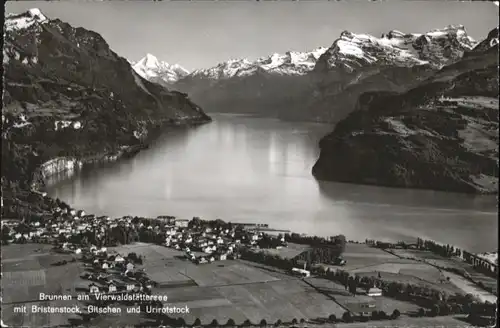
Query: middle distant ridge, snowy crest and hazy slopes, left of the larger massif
pixel 262 86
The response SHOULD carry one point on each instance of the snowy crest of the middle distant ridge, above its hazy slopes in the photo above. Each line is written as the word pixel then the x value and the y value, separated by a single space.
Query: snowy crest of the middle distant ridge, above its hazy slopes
pixel 289 63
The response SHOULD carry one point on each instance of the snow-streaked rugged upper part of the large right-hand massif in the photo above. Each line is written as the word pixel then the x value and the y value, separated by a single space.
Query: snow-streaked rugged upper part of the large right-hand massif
pixel 436 48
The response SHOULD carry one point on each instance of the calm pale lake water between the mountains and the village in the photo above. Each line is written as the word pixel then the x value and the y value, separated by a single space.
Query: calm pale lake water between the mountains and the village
pixel 245 169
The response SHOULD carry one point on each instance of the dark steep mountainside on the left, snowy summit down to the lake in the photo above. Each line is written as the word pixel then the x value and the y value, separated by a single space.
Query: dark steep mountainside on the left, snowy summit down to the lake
pixel 66 93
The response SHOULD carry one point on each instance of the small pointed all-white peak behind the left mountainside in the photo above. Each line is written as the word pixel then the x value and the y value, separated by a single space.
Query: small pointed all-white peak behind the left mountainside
pixel 157 71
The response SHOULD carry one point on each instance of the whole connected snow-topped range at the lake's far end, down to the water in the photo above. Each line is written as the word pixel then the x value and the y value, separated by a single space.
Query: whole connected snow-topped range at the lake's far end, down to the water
pixel 326 86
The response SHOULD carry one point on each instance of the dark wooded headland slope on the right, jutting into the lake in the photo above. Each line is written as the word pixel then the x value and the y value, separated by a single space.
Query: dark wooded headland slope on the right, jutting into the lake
pixel 441 134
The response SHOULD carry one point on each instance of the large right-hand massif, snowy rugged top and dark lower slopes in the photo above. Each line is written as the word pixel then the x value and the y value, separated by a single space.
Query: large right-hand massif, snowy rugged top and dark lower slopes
pixel 358 63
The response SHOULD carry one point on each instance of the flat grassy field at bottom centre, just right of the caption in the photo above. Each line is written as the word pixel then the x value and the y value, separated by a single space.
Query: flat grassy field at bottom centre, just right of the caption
pixel 284 299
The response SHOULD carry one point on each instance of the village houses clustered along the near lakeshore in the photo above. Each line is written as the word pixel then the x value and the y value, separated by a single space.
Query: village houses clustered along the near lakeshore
pixel 201 244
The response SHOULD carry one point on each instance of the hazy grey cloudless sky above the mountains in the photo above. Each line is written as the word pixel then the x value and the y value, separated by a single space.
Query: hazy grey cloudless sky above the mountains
pixel 200 34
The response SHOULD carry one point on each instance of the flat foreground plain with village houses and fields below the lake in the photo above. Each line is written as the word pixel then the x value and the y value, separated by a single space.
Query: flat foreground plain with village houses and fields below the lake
pixel 209 266
